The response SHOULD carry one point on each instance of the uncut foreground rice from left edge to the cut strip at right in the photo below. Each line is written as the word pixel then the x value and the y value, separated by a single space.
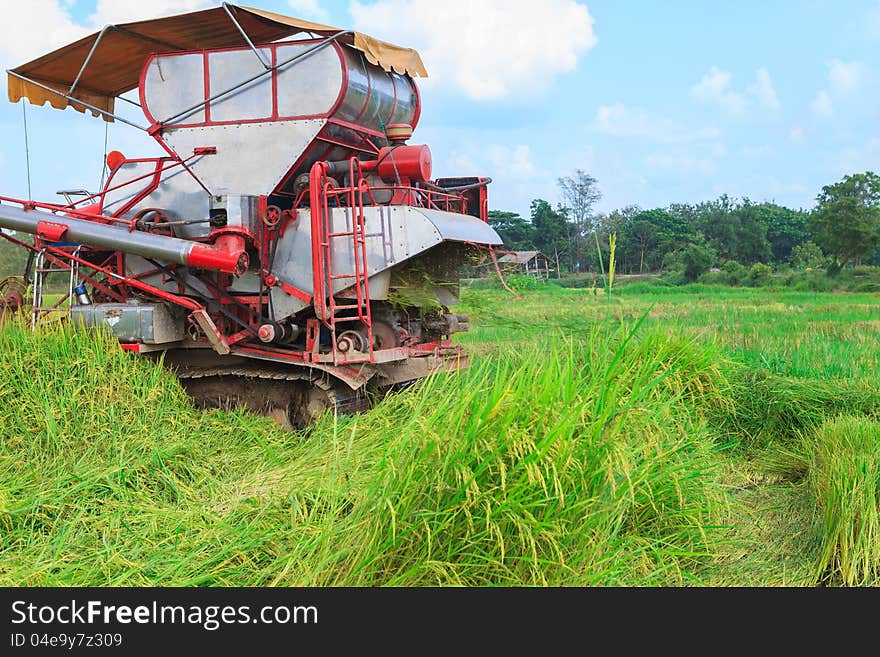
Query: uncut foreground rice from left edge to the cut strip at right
pixel 581 463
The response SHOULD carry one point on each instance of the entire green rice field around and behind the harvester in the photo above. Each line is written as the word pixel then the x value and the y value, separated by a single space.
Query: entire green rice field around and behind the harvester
pixel 658 437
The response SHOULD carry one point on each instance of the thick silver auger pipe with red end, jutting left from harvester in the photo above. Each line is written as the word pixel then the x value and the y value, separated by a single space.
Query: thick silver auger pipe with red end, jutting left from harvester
pixel 227 255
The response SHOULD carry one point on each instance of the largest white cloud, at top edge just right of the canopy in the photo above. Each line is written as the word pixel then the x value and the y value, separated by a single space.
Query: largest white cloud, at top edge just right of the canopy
pixel 489 49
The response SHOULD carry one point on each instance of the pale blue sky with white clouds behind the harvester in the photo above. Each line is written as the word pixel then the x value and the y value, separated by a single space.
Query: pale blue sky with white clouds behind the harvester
pixel 662 102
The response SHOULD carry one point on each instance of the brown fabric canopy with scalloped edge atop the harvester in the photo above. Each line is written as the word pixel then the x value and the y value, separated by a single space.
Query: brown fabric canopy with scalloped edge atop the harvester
pixel 116 62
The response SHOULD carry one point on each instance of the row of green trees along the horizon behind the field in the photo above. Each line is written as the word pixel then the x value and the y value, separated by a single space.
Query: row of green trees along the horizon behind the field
pixel 842 229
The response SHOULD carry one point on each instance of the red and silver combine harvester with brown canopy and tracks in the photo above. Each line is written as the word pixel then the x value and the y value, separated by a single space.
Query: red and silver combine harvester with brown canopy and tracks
pixel 291 252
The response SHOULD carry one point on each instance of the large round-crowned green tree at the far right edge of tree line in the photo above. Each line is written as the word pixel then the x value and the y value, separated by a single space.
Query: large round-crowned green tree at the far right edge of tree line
pixel 846 221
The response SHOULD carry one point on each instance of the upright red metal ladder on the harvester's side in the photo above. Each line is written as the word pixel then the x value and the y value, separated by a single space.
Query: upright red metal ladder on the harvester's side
pixel 325 242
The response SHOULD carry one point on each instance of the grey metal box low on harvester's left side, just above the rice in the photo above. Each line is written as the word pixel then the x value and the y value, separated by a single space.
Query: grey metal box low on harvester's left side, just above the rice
pixel 153 323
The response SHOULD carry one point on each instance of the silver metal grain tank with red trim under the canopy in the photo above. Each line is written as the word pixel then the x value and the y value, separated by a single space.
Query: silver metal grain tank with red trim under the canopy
pixel 325 101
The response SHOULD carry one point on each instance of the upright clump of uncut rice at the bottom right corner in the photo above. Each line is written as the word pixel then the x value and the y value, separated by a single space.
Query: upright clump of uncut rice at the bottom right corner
pixel 845 478
